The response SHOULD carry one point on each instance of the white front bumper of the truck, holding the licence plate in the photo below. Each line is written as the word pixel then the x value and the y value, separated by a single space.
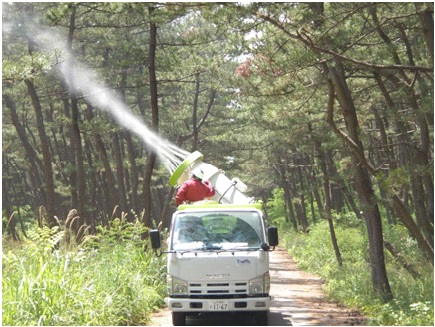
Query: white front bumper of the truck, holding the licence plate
pixel 218 305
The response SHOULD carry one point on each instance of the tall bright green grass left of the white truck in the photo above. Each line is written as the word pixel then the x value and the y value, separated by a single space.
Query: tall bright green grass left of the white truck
pixel 107 280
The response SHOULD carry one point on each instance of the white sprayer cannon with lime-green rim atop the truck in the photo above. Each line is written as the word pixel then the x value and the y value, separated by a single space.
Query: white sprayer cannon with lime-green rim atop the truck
pixel 227 191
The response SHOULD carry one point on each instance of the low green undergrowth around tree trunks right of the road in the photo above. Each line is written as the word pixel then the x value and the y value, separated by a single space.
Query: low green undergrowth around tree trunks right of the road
pixel 350 284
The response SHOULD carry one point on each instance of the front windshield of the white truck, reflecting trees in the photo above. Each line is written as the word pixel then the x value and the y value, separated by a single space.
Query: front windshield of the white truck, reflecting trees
pixel 217 230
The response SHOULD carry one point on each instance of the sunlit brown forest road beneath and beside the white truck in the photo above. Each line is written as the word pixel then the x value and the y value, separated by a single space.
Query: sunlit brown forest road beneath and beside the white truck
pixel 298 300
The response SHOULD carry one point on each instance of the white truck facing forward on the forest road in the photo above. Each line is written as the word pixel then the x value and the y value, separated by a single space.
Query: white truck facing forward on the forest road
pixel 218 257
